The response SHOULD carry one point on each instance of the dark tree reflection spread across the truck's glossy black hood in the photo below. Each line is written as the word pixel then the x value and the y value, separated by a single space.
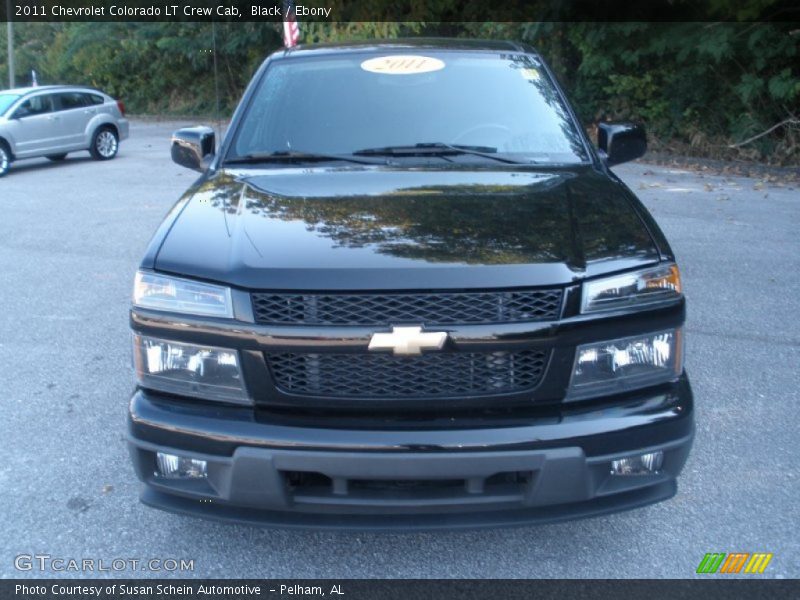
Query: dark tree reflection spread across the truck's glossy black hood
pixel 479 224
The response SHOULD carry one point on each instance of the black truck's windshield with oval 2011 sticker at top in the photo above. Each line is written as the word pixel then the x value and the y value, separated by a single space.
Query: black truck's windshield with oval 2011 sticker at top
pixel 382 103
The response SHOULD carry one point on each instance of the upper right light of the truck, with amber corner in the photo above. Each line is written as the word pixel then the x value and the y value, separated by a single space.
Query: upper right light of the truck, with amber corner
pixel 639 288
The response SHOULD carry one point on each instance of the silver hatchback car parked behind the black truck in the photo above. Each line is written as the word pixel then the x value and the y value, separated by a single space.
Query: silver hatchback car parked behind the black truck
pixel 52 121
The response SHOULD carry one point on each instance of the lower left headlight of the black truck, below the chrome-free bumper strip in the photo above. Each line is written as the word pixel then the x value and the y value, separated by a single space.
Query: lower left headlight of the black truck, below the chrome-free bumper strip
pixel 189 370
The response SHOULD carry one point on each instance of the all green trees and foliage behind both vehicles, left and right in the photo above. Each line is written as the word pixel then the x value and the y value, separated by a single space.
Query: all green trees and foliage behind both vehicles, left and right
pixel 698 86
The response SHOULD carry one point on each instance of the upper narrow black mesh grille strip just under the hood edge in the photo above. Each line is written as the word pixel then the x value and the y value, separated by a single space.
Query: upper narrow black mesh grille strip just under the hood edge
pixel 383 309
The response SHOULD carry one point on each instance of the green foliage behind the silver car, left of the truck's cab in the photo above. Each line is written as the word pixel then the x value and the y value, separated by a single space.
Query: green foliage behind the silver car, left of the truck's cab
pixel 165 68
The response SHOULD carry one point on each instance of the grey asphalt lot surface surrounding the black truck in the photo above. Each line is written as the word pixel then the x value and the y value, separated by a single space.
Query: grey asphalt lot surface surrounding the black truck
pixel 71 236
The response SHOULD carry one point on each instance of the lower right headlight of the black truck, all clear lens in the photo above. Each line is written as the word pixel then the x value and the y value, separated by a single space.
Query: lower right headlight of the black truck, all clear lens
pixel 625 364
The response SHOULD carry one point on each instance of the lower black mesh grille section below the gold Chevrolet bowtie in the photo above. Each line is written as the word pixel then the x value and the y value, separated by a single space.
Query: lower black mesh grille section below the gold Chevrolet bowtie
pixel 384 376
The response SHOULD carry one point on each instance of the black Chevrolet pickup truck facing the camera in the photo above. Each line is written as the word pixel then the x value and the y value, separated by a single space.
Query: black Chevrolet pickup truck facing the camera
pixel 407 292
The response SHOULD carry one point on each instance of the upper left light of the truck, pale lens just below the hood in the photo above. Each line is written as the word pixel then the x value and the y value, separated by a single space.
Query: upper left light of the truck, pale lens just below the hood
pixel 162 292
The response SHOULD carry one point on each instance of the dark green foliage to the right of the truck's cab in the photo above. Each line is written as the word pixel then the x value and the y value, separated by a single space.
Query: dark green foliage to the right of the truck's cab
pixel 700 87
